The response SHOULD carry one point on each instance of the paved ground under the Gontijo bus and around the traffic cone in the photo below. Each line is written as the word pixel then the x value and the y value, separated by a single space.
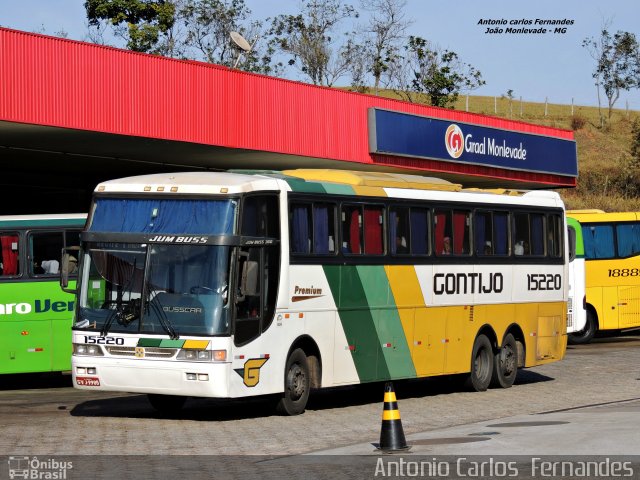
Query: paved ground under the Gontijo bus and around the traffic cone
pixel 53 419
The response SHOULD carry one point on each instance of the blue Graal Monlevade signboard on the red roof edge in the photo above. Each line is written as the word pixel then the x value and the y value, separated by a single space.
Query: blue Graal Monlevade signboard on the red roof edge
pixel 406 135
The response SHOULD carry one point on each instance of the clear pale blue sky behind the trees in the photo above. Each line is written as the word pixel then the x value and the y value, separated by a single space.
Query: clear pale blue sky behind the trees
pixel 535 66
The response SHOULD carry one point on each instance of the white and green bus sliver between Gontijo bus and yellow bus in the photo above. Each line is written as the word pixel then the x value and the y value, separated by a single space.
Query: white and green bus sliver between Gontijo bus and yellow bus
pixel 577 304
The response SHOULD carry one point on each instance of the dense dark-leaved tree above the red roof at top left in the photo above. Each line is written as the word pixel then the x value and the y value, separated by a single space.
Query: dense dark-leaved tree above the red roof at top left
pixel 141 23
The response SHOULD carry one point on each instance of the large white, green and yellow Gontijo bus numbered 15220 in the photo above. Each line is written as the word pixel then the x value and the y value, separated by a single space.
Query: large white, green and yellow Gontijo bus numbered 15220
pixel 241 284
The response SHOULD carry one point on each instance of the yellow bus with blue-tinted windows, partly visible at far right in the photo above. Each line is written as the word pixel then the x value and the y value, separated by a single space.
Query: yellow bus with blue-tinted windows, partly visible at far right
pixel 612 265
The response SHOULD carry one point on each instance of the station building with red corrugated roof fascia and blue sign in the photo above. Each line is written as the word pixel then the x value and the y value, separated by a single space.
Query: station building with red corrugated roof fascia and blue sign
pixel 73 114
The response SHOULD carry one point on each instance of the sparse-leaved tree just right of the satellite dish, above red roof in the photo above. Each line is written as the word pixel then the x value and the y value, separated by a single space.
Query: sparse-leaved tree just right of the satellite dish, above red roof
pixel 308 39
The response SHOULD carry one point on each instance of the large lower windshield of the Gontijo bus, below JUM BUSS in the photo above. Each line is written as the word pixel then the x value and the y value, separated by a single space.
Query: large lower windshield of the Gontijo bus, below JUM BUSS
pixel 161 289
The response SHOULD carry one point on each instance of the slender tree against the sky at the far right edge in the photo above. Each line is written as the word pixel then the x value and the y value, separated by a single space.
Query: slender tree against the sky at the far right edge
pixel 617 64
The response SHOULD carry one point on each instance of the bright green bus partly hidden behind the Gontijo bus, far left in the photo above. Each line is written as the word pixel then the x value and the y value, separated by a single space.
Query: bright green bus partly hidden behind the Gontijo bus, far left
pixel 35 314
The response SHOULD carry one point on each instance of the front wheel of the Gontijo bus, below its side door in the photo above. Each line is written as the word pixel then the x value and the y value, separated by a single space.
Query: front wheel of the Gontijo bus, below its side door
pixel 296 384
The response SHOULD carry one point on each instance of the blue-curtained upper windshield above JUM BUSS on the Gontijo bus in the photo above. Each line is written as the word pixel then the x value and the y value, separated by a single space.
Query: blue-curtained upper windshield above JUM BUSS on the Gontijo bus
pixel 205 217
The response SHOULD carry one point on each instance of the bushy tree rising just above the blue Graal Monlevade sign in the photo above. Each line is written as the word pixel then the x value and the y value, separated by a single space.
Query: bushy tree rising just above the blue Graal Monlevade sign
pixel 438 74
